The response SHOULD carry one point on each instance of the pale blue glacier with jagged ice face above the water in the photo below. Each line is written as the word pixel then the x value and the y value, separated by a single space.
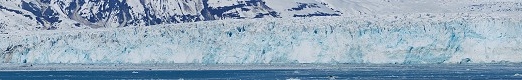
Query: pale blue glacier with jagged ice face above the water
pixel 396 39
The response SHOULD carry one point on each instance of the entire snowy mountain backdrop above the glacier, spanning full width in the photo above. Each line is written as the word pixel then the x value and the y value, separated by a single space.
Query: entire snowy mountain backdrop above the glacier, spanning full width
pixel 34 15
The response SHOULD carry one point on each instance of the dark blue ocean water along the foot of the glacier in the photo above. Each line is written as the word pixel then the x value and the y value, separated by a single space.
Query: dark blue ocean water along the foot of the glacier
pixel 392 71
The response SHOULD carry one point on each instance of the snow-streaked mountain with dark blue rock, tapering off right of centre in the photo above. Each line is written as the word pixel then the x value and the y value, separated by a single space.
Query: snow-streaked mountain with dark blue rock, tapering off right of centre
pixel 60 14
